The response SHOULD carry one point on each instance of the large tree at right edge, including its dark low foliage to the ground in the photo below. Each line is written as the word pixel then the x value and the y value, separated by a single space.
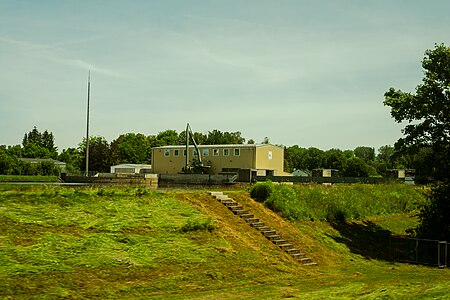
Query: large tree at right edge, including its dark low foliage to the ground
pixel 427 112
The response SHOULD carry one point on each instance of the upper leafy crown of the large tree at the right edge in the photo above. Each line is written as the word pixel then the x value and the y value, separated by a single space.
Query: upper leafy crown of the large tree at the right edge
pixel 427 111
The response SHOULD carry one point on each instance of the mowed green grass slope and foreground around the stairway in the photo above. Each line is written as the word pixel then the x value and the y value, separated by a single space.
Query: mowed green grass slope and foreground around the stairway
pixel 80 243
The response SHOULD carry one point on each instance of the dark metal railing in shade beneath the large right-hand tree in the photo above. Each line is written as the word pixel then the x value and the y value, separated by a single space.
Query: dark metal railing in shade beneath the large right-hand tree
pixel 419 251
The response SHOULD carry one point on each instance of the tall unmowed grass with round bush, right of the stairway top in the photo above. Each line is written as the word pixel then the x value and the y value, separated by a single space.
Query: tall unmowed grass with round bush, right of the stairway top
pixel 338 202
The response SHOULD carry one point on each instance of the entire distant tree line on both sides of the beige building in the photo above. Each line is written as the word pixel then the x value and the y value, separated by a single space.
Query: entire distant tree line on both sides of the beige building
pixel 135 148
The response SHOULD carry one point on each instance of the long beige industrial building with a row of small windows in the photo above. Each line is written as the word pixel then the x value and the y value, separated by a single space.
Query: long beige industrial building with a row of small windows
pixel 220 158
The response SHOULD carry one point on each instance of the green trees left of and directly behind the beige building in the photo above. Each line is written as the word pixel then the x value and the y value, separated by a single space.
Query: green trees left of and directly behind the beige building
pixel 132 148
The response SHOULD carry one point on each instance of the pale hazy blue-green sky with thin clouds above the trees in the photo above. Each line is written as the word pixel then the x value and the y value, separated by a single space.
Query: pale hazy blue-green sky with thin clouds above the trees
pixel 300 72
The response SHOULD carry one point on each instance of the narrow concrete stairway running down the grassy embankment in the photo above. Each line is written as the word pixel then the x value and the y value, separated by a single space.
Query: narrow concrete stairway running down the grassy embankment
pixel 265 230
